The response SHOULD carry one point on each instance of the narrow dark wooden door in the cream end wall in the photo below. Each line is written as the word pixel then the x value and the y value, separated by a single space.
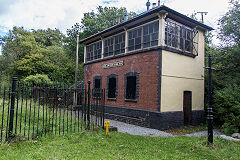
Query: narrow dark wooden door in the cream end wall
pixel 187 107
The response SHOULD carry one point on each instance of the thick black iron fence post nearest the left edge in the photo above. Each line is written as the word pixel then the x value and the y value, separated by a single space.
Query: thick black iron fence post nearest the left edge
pixel 10 130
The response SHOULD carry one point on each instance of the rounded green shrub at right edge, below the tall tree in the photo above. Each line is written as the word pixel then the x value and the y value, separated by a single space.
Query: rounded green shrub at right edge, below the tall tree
pixel 228 108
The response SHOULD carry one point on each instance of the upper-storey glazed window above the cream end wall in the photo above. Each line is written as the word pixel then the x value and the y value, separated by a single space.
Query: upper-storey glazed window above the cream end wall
pixel 180 37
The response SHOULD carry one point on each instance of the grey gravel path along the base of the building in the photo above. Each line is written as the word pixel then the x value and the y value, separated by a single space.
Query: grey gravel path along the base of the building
pixel 137 130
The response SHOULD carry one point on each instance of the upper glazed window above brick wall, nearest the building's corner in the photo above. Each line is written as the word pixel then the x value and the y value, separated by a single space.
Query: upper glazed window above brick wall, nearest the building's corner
pixel 143 37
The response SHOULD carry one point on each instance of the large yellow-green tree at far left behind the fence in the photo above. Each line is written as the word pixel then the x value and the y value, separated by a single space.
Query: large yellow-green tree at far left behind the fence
pixel 27 53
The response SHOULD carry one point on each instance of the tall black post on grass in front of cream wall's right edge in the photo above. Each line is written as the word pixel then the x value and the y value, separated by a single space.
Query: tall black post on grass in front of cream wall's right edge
pixel 210 112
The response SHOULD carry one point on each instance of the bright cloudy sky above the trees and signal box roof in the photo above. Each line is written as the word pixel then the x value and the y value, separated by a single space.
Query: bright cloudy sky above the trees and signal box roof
pixel 62 14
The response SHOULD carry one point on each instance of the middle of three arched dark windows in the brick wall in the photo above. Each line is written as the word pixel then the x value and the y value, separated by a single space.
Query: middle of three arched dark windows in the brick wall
pixel 112 86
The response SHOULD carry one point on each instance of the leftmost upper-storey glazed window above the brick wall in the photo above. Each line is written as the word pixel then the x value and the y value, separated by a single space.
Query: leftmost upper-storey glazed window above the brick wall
pixel 94 51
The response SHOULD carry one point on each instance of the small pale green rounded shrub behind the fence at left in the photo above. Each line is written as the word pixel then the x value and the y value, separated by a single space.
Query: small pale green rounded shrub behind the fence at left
pixel 38 79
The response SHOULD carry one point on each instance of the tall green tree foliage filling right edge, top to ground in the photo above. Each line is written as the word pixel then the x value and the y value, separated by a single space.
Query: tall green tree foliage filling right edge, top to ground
pixel 226 78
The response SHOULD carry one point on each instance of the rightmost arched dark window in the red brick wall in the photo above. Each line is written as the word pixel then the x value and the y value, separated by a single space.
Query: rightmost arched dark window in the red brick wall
pixel 131 85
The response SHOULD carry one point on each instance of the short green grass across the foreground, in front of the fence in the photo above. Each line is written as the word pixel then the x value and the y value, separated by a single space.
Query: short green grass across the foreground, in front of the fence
pixel 96 145
